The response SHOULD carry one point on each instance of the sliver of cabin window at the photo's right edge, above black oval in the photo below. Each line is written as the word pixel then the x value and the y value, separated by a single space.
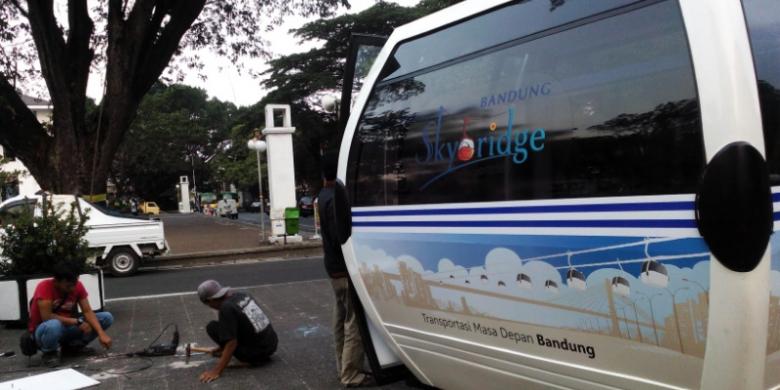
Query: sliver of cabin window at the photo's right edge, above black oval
pixel 763 19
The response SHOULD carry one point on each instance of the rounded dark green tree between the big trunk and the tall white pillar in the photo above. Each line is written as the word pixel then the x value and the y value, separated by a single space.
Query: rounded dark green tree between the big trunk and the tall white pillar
pixel 177 129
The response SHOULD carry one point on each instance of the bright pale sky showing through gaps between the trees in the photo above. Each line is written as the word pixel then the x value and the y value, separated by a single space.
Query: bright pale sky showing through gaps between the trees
pixel 225 83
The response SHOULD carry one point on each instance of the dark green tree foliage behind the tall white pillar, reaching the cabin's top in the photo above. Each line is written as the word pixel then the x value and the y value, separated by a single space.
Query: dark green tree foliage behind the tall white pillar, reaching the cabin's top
pixel 298 79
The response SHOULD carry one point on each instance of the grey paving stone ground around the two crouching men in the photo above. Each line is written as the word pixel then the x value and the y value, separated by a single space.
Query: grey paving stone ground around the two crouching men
pixel 300 313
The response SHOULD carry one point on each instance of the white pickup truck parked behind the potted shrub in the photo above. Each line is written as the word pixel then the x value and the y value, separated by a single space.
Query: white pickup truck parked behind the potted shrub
pixel 122 241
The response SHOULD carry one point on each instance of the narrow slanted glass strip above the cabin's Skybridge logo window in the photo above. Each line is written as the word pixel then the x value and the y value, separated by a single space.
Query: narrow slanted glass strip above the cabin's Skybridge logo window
pixel 510 22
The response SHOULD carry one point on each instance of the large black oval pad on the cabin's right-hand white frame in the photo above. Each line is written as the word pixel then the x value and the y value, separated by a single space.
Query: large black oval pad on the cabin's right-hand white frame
pixel 734 206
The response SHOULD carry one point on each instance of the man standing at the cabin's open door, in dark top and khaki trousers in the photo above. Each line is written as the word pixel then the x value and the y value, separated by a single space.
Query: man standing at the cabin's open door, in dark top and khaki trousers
pixel 349 346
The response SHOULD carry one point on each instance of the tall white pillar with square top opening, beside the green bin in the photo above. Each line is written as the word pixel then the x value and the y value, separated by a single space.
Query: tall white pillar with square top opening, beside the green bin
pixel 281 169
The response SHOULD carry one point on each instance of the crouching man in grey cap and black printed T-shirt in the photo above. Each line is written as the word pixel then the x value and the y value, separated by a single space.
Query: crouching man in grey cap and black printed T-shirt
pixel 243 330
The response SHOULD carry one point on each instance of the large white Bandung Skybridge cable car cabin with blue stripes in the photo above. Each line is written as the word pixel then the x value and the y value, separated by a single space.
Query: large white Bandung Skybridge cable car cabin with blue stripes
pixel 621 152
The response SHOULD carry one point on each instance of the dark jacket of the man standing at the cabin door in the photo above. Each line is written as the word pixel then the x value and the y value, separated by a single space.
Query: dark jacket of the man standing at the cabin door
pixel 334 259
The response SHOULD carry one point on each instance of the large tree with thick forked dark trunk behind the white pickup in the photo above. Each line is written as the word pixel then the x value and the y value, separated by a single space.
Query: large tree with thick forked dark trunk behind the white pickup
pixel 133 42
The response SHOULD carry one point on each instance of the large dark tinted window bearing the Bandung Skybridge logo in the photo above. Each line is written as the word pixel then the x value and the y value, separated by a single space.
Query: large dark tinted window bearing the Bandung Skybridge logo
pixel 604 109
